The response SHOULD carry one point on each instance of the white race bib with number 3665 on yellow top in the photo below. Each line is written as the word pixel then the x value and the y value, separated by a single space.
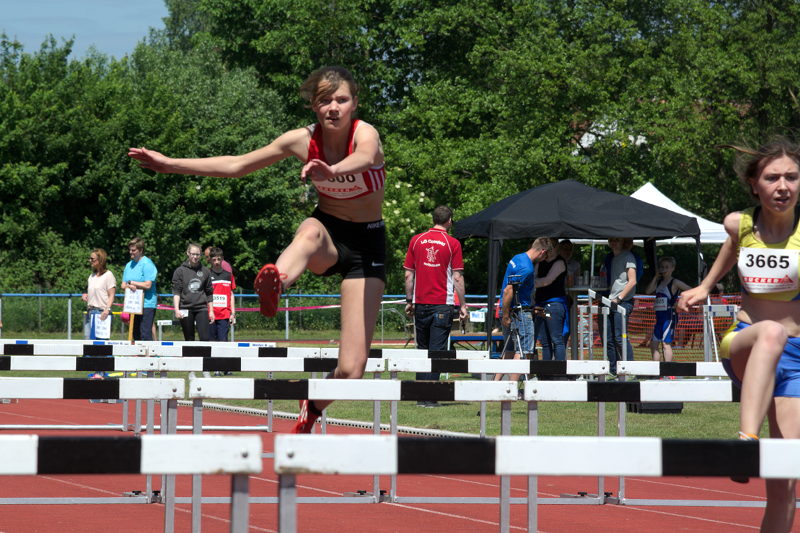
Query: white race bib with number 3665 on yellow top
pixel 763 270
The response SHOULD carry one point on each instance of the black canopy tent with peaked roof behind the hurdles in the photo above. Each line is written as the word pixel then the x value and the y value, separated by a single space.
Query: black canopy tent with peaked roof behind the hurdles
pixel 568 210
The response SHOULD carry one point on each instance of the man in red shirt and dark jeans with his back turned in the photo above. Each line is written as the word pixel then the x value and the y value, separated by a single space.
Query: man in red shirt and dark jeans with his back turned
pixel 434 272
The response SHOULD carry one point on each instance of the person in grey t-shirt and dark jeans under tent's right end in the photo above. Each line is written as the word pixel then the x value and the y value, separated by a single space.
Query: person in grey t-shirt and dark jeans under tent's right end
pixel 622 289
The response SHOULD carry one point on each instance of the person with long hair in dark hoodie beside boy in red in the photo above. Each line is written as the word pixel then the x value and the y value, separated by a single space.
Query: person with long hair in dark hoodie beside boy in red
pixel 192 296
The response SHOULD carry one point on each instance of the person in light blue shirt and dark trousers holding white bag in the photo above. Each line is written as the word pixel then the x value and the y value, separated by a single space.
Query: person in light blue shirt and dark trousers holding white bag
pixel 140 274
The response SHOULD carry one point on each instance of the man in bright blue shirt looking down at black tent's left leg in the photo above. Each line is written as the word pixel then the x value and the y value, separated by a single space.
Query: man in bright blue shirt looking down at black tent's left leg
pixel 520 273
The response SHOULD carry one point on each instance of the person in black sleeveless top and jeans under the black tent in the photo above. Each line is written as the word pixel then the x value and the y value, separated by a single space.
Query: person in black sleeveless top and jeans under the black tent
pixel 552 324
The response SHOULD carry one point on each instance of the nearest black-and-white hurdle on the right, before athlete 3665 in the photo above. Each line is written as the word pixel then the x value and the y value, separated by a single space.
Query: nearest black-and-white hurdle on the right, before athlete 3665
pixel 519 455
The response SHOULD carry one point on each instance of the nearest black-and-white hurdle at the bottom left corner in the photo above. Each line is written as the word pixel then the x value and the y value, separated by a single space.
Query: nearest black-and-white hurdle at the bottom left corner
pixel 148 454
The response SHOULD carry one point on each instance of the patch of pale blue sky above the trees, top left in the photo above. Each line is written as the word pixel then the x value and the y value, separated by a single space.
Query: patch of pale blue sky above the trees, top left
pixel 114 27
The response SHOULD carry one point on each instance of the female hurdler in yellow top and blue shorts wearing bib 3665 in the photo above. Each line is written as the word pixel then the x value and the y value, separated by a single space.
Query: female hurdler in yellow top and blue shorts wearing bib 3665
pixel 764 347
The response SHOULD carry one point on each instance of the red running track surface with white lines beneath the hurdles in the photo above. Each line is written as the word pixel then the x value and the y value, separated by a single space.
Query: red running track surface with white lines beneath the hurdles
pixel 328 518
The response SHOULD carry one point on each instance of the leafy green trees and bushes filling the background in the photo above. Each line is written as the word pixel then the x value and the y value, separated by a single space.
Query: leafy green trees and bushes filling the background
pixel 475 100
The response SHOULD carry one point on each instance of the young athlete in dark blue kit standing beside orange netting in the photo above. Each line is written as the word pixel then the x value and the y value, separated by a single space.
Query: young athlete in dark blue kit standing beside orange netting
pixel 666 289
